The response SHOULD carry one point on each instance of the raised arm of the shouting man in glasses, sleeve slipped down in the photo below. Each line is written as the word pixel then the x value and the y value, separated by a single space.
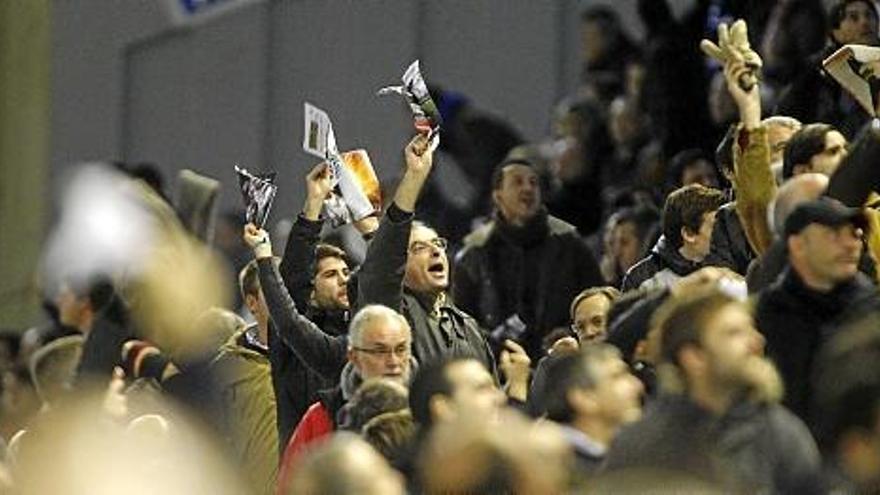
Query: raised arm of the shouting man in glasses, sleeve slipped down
pixel 381 275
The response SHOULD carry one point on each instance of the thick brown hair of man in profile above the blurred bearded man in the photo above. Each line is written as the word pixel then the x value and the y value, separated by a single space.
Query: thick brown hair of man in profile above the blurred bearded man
pixel 685 208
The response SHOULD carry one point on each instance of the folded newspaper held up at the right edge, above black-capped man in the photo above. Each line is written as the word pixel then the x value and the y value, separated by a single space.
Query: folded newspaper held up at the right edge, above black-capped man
pixel 857 69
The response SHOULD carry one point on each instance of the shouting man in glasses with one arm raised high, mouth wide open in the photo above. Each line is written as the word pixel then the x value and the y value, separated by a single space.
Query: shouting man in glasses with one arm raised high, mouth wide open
pixel 406 268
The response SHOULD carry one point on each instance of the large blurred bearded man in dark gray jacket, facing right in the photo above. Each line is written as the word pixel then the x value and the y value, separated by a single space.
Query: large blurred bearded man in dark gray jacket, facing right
pixel 718 419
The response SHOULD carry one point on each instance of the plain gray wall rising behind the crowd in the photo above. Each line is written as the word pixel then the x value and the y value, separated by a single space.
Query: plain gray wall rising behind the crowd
pixel 127 84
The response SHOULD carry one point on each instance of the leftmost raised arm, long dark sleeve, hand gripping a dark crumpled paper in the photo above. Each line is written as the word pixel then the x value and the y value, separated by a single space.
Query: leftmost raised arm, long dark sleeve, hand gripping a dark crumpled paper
pixel 322 353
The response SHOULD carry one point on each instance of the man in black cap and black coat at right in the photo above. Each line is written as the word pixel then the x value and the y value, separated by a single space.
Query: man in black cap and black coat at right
pixel 821 287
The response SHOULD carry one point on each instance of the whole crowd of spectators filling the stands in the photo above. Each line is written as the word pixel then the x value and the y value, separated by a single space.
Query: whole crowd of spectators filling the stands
pixel 675 292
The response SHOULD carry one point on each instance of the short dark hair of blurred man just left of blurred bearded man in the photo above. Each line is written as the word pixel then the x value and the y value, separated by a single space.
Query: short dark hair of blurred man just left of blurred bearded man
pixel 573 371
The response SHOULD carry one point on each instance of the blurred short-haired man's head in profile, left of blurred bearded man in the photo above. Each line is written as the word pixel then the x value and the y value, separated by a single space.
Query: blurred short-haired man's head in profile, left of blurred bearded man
pixel 593 395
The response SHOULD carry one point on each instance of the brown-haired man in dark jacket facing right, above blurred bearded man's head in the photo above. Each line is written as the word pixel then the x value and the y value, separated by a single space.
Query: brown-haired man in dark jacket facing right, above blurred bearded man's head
pixel 688 219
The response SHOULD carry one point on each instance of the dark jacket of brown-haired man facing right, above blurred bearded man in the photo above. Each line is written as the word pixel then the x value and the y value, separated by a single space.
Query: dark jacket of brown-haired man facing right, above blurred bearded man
pixel 661 268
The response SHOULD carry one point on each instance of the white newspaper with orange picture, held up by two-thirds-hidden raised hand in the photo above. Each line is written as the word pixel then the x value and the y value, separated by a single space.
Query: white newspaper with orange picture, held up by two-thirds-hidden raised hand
pixel 356 187
